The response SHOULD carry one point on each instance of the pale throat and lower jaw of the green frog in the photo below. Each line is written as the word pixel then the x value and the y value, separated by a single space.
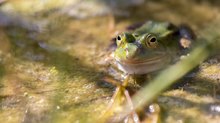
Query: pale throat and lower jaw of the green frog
pixel 144 66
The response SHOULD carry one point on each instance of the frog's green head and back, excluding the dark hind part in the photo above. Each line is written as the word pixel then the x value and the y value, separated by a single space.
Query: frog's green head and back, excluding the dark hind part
pixel 147 49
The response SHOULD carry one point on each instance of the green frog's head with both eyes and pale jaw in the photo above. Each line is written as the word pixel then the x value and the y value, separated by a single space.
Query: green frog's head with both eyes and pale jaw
pixel 140 53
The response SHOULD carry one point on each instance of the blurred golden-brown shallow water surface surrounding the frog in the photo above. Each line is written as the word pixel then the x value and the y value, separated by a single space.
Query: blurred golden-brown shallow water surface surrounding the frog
pixel 51 58
